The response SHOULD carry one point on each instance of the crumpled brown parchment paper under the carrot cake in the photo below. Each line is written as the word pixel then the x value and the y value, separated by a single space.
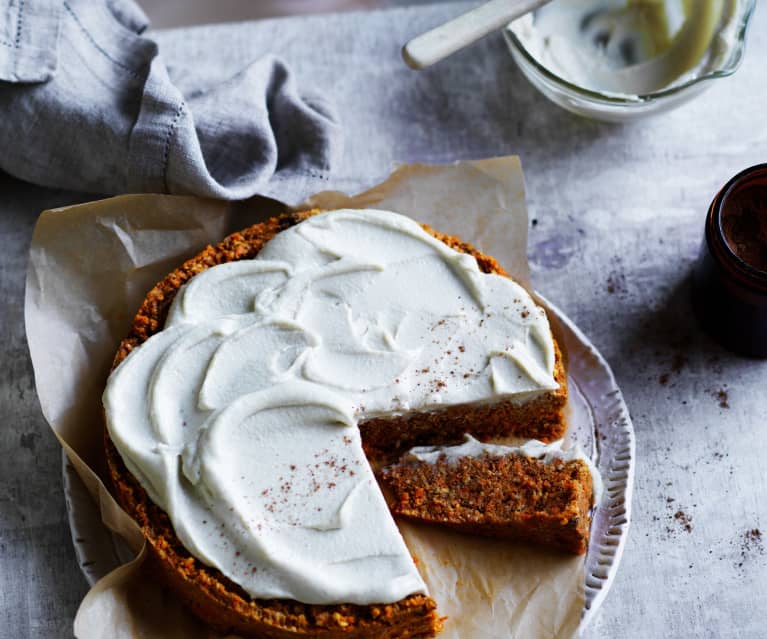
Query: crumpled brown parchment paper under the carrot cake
pixel 90 267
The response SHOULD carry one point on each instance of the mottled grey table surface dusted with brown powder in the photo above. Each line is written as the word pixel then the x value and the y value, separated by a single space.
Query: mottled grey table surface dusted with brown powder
pixel 616 221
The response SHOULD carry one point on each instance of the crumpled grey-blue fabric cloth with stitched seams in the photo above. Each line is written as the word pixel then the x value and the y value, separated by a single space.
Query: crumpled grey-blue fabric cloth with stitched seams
pixel 88 104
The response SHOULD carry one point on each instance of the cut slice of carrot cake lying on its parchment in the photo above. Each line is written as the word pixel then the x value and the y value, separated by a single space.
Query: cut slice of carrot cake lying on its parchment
pixel 535 493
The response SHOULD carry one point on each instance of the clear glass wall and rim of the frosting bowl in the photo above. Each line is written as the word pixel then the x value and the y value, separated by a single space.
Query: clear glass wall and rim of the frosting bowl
pixel 610 107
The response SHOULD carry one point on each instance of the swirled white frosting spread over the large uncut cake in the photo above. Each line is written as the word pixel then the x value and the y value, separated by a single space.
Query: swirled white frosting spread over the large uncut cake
pixel 240 417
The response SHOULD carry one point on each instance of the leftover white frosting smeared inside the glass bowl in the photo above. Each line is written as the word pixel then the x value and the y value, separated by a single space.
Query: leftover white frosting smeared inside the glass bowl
pixel 629 48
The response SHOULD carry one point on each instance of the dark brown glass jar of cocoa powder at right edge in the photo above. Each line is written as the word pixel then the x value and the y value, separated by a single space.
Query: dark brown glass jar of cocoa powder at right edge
pixel 730 277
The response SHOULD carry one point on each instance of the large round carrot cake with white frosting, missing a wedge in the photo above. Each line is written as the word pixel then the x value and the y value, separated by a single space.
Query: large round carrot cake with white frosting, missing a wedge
pixel 260 377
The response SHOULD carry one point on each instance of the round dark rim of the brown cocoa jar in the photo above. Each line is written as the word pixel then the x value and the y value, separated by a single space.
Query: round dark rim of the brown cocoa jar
pixel 720 249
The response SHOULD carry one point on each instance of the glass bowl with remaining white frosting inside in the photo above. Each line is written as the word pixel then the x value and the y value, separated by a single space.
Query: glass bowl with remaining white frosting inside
pixel 619 59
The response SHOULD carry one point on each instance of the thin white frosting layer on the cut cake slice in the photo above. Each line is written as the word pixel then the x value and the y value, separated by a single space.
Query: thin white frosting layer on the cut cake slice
pixel 534 449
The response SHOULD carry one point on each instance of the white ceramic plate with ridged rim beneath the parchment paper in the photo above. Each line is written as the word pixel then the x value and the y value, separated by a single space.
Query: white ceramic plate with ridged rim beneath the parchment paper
pixel 599 422
